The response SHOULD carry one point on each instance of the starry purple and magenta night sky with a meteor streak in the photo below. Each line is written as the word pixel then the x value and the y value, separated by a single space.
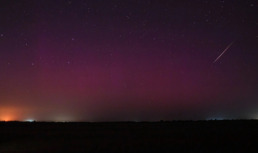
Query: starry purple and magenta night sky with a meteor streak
pixel 128 60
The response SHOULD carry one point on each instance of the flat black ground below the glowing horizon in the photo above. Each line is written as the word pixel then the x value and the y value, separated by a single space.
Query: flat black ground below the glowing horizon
pixel 178 136
